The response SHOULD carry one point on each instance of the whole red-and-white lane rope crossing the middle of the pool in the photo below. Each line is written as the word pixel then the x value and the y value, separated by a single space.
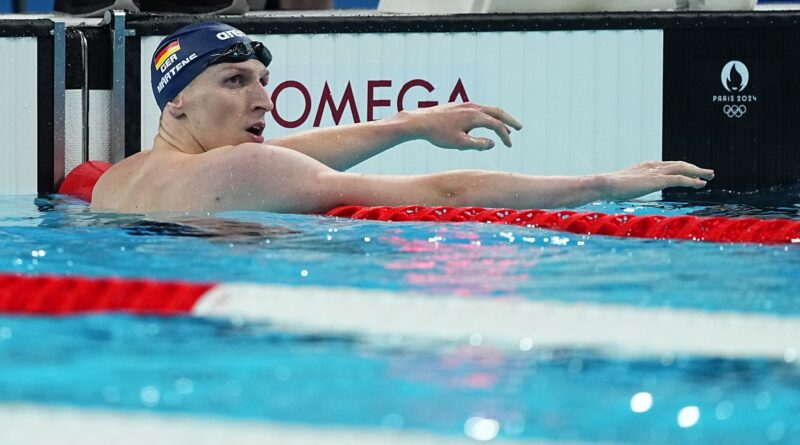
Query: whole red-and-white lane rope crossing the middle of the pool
pixel 513 324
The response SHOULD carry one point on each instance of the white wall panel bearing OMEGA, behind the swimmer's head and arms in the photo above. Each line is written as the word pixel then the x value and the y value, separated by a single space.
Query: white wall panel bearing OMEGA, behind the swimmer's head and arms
pixel 590 100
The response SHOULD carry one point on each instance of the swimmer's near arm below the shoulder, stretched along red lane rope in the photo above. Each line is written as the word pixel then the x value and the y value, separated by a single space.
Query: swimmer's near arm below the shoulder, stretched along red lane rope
pixel 490 189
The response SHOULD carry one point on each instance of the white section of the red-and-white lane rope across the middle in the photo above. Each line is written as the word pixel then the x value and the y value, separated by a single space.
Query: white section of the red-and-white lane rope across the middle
pixel 508 323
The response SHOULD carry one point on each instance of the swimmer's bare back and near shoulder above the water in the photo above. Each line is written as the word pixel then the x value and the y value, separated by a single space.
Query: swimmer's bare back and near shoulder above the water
pixel 244 177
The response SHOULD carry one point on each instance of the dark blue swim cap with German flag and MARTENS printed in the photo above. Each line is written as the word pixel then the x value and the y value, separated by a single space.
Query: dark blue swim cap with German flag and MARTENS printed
pixel 184 54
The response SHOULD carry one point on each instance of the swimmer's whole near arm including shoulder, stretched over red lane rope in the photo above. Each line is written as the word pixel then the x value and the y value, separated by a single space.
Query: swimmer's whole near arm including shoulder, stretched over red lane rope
pixel 281 180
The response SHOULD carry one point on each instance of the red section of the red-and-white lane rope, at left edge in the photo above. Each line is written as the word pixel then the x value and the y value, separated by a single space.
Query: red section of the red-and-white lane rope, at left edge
pixel 46 295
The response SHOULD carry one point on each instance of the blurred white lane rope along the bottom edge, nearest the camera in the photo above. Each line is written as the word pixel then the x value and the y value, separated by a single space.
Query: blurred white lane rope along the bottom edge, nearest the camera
pixel 29 424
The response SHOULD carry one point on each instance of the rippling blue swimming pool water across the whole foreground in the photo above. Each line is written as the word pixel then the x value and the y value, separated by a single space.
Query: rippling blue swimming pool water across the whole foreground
pixel 382 388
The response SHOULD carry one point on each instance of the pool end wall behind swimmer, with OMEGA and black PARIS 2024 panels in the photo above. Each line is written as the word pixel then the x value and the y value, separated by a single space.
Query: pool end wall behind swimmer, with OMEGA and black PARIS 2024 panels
pixel 596 92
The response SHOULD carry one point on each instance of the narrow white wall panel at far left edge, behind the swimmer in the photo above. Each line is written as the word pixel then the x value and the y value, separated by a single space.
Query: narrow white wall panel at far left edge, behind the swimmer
pixel 18 116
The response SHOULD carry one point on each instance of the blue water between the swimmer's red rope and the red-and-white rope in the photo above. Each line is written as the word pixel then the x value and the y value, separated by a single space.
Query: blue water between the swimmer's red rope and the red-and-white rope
pixel 467 259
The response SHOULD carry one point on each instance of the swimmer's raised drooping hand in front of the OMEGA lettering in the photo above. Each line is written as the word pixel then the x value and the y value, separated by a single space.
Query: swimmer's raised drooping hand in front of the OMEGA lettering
pixel 448 125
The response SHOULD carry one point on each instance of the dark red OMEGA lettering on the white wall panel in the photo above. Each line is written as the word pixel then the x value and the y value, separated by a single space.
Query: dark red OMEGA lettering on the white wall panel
pixel 380 94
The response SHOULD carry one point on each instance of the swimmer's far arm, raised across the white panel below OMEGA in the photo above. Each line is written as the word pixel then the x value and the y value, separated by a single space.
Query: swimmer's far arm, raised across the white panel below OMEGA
pixel 445 126
